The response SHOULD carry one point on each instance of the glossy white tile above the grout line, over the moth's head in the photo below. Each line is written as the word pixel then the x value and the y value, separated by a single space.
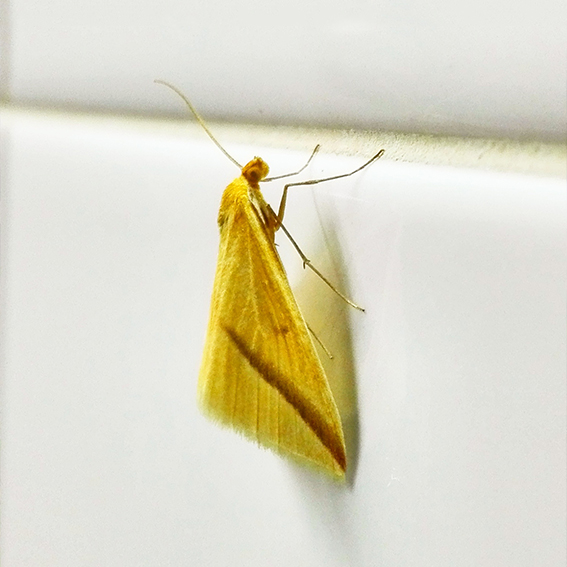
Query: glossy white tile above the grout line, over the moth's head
pixel 493 68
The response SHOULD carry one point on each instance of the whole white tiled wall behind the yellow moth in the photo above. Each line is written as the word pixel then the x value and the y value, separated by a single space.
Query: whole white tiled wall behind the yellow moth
pixel 456 410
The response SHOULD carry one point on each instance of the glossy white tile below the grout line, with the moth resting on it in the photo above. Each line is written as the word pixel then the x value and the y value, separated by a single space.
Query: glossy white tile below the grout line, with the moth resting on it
pixel 108 254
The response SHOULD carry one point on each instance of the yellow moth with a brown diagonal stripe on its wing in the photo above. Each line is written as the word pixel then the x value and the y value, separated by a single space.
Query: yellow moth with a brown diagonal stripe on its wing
pixel 260 372
